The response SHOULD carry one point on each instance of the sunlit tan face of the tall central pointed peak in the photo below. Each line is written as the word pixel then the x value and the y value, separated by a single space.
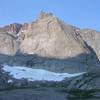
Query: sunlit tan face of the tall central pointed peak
pixel 50 37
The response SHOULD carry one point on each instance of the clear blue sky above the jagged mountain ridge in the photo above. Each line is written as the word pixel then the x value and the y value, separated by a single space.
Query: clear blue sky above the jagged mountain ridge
pixel 81 13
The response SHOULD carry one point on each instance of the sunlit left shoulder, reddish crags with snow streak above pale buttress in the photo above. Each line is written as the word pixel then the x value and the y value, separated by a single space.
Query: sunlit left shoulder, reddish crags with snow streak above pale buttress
pixel 8 39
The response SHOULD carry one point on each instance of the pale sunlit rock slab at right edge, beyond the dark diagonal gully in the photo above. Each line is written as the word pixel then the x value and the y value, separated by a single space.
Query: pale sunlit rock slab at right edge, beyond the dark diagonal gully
pixel 92 38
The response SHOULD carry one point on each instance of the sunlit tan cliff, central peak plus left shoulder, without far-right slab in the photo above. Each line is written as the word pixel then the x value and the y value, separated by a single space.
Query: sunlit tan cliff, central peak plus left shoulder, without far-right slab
pixel 47 37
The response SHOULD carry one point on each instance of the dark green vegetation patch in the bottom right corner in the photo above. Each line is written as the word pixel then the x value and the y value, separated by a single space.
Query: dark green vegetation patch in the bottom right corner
pixel 77 94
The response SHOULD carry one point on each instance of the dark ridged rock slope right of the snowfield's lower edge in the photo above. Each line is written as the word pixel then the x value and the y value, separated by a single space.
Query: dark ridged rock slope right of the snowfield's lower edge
pixel 87 81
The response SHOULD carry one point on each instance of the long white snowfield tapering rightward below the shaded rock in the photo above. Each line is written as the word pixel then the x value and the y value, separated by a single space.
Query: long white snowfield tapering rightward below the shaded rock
pixel 19 72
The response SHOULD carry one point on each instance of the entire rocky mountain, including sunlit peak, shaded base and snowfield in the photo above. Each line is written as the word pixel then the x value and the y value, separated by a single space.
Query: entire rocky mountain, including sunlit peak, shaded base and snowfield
pixel 51 48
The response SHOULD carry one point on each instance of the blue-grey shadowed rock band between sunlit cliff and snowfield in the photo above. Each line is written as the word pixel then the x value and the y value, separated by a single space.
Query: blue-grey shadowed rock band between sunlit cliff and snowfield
pixel 75 64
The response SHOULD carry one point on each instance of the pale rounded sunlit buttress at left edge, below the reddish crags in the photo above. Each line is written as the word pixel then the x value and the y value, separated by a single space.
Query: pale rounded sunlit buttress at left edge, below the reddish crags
pixel 8 44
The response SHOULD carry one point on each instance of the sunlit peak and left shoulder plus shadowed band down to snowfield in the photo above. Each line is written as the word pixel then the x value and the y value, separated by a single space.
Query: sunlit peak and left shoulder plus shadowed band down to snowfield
pixel 47 37
